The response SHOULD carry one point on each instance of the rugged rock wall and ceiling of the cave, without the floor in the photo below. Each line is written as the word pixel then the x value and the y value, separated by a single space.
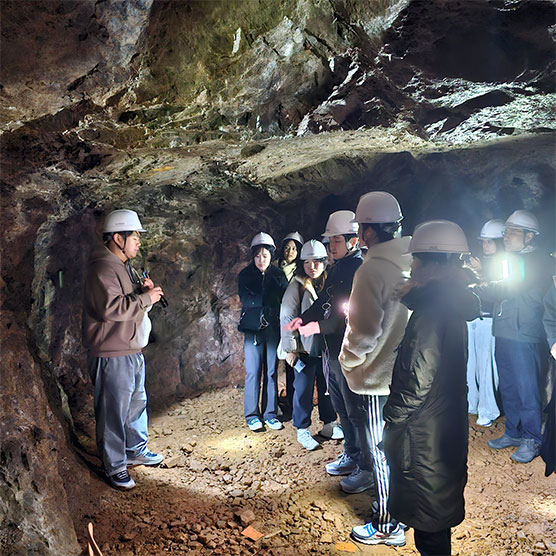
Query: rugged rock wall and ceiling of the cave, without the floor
pixel 214 121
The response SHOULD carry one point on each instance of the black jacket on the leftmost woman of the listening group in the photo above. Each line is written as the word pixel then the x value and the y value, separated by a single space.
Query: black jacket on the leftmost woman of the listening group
pixel 260 294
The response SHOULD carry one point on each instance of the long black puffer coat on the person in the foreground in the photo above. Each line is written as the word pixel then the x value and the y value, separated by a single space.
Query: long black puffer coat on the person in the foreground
pixel 426 431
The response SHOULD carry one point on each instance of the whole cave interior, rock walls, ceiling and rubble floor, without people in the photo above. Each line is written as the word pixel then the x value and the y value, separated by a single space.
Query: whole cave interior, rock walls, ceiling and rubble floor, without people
pixel 214 121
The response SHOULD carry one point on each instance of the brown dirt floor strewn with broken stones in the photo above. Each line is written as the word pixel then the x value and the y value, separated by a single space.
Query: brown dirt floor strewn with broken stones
pixel 220 478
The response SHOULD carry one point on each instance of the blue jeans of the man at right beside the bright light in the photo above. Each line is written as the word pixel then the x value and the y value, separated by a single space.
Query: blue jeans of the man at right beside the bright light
pixel 519 365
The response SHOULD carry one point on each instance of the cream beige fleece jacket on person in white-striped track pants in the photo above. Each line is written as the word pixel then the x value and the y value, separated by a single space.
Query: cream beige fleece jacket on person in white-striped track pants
pixel 376 320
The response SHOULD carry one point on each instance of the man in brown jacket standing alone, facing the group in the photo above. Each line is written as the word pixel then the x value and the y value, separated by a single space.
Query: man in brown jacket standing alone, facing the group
pixel 116 329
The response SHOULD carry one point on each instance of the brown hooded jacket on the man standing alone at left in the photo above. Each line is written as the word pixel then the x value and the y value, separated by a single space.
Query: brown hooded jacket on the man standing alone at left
pixel 114 310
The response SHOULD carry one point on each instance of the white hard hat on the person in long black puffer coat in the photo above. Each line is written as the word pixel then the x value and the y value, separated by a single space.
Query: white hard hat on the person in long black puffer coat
pixel 438 236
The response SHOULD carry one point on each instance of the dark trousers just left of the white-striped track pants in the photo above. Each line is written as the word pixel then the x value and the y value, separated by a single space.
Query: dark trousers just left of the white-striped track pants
pixel 353 412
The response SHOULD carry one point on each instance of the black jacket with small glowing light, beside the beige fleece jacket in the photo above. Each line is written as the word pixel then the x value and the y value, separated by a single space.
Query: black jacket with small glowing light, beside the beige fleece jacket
pixel 329 308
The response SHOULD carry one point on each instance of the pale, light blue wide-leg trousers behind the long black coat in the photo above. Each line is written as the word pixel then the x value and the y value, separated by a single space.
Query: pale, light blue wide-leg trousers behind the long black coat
pixel 482 374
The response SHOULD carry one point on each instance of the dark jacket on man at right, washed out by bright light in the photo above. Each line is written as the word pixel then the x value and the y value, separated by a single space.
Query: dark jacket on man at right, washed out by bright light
pixel 518 299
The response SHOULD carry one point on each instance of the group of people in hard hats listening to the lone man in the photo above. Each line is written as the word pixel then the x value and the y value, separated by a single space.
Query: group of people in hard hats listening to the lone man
pixel 385 335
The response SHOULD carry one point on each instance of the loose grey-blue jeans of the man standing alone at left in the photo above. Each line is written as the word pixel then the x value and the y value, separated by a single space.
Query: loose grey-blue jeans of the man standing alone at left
pixel 120 408
